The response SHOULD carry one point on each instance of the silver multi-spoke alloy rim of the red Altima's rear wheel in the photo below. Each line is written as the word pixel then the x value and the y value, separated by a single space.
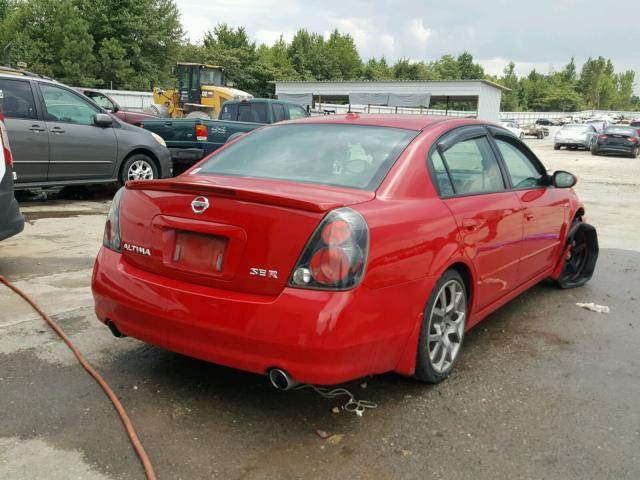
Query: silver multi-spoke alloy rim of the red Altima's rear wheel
pixel 446 326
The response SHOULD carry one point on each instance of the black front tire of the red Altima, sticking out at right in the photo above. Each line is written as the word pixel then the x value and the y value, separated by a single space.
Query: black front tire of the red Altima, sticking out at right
pixel 582 242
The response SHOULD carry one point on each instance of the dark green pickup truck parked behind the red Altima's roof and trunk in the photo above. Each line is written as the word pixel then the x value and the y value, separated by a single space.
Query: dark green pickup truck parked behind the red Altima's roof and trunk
pixel 191 139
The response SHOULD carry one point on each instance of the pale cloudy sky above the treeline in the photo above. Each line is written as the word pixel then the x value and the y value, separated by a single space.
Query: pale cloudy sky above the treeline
pixel 543 34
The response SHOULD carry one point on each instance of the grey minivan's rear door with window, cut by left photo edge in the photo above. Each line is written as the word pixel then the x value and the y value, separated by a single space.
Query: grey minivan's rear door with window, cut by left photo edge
pixel 27 131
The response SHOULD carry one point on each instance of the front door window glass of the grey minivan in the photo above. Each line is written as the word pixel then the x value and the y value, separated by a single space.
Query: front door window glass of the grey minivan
pixel 64 106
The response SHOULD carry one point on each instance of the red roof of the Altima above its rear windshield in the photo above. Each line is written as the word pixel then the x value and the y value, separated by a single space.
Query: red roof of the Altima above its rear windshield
pixel 410 122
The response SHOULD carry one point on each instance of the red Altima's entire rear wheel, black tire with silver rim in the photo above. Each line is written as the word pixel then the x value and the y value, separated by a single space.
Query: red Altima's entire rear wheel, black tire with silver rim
pixel 426 370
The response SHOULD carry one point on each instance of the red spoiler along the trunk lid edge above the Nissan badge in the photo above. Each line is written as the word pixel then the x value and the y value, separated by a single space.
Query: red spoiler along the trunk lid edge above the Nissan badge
pixel 281 199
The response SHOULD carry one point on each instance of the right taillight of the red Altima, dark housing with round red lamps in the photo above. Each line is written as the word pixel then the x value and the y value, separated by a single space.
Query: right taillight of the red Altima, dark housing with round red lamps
pixel 335 256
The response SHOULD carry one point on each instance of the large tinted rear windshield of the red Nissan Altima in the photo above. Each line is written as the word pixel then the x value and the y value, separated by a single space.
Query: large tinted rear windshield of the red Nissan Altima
pixel 353 156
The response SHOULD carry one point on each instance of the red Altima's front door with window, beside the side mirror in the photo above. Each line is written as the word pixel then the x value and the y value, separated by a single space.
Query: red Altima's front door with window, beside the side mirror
pixel 543 207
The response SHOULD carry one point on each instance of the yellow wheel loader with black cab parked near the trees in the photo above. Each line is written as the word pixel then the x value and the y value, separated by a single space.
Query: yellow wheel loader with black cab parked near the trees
pixel 200 94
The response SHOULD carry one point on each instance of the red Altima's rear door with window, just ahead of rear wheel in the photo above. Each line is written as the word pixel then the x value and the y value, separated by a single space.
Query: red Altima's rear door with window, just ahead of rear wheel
pixel 489 216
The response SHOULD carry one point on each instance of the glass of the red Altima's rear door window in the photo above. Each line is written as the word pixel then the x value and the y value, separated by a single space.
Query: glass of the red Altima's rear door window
pixel 473 167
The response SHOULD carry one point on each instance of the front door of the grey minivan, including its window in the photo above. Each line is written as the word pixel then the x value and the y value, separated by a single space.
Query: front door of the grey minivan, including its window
pixel 78 149
